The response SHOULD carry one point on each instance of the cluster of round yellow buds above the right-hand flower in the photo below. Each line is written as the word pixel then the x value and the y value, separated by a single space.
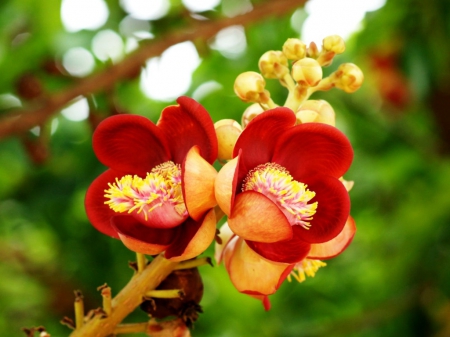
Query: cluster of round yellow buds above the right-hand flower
pixel 302 79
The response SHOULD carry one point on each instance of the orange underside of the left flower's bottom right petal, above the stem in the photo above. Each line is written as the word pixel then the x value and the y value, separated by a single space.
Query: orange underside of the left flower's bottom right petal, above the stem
pixel 200 241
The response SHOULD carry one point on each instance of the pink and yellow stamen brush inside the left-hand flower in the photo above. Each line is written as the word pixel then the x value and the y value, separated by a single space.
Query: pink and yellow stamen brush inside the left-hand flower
pixel 143 195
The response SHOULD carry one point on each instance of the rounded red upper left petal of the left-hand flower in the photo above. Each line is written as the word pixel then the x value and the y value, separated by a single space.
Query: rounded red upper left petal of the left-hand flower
pixel 130 144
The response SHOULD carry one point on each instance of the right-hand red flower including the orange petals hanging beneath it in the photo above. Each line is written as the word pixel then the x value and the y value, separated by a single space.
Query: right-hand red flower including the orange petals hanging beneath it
pixel 283 199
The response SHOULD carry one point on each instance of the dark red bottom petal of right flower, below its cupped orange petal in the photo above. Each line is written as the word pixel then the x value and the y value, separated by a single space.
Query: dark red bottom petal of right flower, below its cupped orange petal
pixel 288 251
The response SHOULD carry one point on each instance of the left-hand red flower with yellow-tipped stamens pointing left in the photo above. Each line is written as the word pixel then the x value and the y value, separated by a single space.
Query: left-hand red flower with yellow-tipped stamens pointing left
pixel 157 194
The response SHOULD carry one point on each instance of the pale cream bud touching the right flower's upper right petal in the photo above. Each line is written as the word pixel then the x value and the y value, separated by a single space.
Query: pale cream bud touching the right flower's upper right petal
pixel 313 111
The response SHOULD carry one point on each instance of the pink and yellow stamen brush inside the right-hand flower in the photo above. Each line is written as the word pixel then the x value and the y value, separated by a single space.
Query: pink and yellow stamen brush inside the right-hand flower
pixel 291 196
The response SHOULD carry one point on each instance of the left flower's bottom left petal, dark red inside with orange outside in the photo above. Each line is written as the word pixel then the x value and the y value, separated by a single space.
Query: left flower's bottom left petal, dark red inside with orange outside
pixel 142 239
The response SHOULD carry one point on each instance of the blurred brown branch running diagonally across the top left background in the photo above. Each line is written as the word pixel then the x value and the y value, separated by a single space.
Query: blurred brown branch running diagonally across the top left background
pixel 21 121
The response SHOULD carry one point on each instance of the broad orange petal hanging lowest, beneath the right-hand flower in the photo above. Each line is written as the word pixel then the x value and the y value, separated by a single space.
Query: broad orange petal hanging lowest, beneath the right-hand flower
pixel 251 273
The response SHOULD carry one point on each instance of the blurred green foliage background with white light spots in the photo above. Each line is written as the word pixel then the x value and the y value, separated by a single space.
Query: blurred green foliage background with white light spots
pixel 394 279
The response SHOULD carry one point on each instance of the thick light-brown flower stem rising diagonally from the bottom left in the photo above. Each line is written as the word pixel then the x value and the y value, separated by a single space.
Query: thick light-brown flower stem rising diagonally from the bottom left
pixel 128 299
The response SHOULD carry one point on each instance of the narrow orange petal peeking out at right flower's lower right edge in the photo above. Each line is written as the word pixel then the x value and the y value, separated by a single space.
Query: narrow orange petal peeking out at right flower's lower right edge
pixel 332 248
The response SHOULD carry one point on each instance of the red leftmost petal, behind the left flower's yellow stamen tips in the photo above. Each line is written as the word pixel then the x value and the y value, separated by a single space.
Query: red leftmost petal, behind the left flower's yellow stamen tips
pixel 97 212
